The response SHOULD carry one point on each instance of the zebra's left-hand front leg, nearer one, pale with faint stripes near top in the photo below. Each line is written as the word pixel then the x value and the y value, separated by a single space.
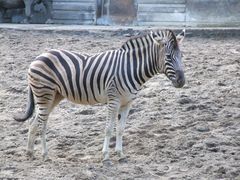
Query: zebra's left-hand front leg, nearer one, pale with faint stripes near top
pixel 113 107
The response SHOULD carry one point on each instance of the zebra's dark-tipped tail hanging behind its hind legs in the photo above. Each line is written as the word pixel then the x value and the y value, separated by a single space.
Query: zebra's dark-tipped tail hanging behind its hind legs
pixel 30 108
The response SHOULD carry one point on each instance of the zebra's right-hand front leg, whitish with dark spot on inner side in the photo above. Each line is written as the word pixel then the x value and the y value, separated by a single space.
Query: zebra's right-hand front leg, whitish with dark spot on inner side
pixel 123 113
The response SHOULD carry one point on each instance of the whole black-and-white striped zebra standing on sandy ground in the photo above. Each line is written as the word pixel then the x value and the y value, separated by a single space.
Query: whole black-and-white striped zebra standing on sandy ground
pixel 112 77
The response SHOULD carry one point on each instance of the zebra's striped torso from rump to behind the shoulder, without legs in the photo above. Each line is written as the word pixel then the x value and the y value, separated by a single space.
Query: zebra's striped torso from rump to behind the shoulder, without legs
pixel 80 78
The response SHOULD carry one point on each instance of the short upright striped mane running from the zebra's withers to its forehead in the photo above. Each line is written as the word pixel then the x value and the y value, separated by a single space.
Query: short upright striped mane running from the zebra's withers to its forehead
pixel 146 33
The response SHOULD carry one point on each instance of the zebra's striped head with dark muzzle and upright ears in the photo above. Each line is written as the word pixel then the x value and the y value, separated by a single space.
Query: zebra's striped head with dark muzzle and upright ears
pixel 170 59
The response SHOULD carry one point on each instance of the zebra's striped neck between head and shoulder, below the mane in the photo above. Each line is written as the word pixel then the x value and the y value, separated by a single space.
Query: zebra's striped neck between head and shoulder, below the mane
pixel 143 56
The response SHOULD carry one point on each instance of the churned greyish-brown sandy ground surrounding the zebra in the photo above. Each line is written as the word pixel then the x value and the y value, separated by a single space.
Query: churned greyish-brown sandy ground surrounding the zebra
pixel 188 133
